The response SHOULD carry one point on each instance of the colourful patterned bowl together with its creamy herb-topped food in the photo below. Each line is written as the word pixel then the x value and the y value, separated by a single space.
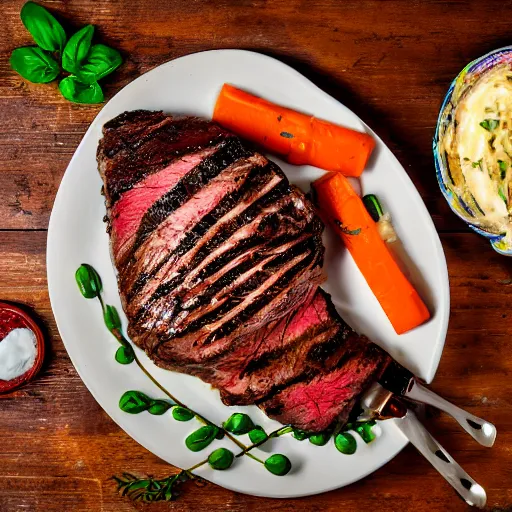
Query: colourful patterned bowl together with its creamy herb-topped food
pixel 473 147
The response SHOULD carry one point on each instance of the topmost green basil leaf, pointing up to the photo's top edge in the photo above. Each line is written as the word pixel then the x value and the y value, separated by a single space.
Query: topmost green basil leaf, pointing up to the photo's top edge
pixel 44 28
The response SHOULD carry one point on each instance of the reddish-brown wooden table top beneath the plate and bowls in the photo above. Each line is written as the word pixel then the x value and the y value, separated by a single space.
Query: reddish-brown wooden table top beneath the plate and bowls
pixel 391 62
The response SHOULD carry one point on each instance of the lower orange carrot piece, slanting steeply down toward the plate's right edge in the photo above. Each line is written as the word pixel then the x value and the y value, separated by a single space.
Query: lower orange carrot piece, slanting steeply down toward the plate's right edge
pixel 344 210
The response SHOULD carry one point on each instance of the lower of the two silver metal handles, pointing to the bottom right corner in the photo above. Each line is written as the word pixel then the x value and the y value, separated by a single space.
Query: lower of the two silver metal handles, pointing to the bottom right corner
pixel 469 490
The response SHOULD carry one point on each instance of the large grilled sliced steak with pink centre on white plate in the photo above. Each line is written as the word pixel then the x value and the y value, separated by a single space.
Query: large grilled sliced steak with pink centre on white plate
pixel 219 260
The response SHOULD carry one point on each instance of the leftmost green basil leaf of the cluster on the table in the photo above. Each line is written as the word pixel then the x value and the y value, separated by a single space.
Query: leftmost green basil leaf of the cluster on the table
pixel 34 64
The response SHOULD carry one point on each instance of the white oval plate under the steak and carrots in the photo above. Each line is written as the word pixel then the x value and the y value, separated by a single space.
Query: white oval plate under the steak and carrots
pixel 190 85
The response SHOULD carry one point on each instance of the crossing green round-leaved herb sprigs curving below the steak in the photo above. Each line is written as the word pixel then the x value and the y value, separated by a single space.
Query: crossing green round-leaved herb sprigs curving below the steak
pixel 149 489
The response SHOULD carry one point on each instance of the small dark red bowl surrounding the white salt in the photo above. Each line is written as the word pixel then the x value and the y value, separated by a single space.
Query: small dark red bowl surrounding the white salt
pixel 12 317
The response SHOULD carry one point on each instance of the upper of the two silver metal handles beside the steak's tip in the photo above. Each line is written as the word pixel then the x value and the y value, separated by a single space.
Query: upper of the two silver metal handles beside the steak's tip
pixel 479 429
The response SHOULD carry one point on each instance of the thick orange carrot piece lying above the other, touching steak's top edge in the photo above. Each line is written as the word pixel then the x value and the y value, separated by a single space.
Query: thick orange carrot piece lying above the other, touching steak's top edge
pixel 300 138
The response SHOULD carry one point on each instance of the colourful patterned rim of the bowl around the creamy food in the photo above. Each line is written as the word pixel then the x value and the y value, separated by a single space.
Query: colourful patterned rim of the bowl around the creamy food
pixel 462 82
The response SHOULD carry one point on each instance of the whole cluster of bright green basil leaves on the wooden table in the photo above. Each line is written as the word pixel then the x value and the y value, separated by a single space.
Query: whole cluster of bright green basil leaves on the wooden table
pixel 88 63
